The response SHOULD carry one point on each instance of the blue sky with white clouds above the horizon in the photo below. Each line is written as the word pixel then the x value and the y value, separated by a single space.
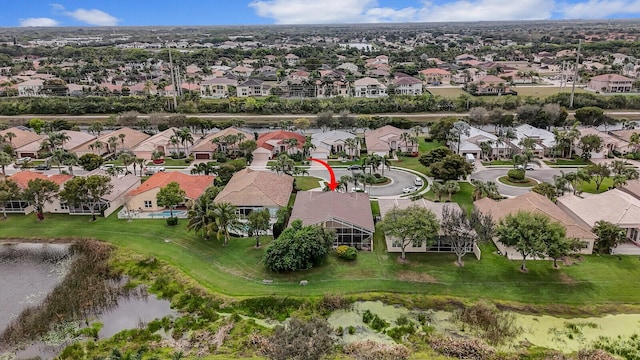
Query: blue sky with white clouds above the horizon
pixel 255 12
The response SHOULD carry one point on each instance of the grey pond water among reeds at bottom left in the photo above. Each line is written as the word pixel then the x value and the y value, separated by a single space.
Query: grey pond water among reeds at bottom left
pixel 30 271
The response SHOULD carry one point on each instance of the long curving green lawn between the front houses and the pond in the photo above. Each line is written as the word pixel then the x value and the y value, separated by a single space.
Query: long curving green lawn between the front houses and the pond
pixel 237 269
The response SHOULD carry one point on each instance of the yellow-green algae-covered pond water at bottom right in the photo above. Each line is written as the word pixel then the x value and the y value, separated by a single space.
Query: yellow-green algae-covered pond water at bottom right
pixel 562 334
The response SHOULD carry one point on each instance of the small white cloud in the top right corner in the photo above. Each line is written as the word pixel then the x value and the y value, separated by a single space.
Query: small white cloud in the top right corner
pixel 598 9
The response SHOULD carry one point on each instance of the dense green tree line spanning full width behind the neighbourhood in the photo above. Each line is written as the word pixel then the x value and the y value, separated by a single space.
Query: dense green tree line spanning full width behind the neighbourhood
pixel 274 105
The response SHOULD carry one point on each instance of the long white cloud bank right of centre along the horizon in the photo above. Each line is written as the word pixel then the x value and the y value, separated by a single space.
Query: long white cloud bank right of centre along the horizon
pixel 359 11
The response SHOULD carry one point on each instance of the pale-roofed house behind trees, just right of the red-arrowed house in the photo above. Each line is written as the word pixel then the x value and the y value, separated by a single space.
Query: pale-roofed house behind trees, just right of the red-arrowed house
pixel 439 245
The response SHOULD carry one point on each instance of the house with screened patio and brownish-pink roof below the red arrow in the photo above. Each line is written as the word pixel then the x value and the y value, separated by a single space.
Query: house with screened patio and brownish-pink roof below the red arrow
pixel 348 215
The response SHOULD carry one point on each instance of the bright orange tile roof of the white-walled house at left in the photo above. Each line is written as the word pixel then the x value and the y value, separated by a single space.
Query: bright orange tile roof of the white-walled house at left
pixel 193 185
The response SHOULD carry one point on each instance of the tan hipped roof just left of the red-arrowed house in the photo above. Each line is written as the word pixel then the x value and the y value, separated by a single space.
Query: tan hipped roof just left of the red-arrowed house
pixel 257 188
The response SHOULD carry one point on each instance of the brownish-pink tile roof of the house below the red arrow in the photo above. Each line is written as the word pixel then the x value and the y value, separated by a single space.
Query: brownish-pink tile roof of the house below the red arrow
pixel 314 207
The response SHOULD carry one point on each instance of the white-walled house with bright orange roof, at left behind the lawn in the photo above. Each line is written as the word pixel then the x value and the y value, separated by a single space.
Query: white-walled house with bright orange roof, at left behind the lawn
pixel 143 197
